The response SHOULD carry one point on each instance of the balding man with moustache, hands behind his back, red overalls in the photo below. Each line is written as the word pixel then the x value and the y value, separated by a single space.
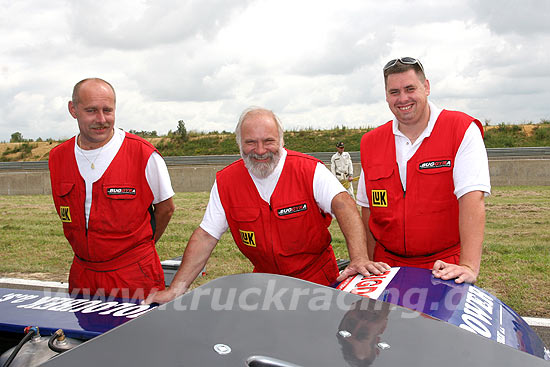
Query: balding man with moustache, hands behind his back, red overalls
pixel 113 194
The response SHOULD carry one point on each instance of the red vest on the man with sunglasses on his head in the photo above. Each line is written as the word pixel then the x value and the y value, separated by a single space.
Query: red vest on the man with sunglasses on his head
pixel 424 221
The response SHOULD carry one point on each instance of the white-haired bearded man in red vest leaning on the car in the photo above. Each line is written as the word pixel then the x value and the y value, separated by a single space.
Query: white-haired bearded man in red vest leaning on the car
pixel 278 205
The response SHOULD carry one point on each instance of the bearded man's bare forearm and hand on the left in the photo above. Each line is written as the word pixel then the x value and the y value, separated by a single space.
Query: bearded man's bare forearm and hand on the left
pixel 194 259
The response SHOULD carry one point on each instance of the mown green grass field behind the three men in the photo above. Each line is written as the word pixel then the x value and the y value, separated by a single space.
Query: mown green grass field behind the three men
pixel 515 262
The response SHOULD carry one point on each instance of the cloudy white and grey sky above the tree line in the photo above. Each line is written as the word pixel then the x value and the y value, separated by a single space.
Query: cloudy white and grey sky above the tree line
pixel 315 63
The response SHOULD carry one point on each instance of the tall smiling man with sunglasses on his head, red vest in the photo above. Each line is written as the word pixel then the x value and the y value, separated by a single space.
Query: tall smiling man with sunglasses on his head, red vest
pixel 424 178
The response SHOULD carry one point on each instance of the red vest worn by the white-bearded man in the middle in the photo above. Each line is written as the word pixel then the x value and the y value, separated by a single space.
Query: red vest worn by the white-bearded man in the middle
pixel 288 236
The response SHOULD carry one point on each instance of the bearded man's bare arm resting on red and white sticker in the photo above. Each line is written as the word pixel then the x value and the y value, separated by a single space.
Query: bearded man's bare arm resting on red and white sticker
pixel 346 213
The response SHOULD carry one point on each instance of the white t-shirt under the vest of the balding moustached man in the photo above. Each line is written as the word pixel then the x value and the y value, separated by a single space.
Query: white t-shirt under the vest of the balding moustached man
pixel 156 171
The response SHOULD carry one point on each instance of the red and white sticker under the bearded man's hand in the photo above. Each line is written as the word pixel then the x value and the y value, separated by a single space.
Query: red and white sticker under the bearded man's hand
pixel 370 286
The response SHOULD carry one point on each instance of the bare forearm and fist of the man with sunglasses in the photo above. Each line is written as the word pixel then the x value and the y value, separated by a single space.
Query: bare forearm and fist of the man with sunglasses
pixel 471 222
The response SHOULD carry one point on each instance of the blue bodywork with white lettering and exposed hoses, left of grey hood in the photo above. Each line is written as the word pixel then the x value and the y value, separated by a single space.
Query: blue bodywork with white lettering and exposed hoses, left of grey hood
pixel 37 325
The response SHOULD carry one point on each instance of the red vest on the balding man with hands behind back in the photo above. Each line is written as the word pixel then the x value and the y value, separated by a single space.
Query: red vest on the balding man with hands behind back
pixel 121 224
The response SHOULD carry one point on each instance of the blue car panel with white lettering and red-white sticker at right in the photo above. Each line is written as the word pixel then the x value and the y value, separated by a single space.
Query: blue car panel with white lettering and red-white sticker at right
pixel 464 305
